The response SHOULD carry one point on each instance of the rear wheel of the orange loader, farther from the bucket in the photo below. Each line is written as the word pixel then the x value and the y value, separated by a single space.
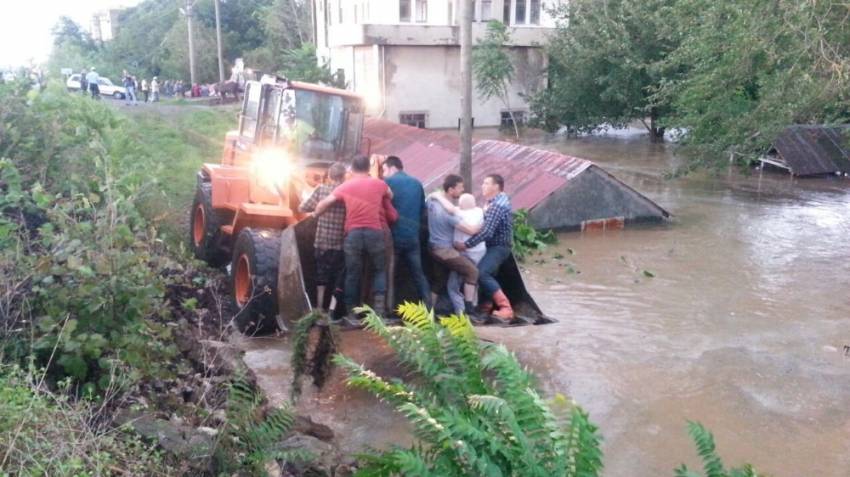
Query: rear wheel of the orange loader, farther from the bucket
pixel 205 228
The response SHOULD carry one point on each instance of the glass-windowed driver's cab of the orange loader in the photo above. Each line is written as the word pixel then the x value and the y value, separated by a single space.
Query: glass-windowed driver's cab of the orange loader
pixel 315 124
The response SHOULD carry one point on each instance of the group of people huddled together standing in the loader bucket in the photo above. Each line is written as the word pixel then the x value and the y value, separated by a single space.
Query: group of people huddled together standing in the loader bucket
pixel 468 241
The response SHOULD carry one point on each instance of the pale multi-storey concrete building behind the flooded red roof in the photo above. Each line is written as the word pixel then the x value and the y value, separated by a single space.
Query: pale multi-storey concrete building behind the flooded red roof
pixel 404 55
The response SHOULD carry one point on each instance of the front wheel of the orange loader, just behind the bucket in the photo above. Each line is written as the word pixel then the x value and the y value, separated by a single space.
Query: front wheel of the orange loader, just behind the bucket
pixel 253 273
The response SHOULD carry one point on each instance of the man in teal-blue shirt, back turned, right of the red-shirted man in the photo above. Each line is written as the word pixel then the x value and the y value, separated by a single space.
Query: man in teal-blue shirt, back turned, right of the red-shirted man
pixel 409 201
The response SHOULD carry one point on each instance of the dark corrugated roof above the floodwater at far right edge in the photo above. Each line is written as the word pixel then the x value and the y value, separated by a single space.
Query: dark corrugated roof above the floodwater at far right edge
pixel 810 150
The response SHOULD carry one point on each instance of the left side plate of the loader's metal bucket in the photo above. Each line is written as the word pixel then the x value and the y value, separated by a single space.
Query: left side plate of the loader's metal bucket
pixel 296 282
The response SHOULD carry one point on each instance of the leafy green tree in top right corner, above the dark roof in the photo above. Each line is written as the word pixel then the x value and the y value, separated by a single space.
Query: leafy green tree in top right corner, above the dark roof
pixel 752 67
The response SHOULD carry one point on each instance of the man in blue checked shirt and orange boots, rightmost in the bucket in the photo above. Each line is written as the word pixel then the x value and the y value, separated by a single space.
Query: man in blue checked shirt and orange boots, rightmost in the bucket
pixel 497 233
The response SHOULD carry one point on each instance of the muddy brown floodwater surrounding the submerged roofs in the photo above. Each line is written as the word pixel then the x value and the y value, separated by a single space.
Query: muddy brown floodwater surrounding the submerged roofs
pixel 743 326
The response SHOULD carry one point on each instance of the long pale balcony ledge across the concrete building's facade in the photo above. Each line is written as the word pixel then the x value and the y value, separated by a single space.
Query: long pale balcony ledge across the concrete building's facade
pixel 426 35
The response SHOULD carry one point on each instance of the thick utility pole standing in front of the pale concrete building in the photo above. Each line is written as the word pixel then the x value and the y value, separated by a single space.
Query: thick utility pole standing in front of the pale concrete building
pixel 466 92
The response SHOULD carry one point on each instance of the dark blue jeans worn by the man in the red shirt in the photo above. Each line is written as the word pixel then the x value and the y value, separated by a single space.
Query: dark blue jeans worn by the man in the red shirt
pixel 357 243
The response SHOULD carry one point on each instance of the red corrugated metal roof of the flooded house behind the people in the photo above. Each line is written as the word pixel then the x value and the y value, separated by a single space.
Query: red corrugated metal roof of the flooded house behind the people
pixel 532 175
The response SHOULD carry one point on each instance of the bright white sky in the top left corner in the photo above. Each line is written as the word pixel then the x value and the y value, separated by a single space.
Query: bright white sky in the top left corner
pixel 25 25
